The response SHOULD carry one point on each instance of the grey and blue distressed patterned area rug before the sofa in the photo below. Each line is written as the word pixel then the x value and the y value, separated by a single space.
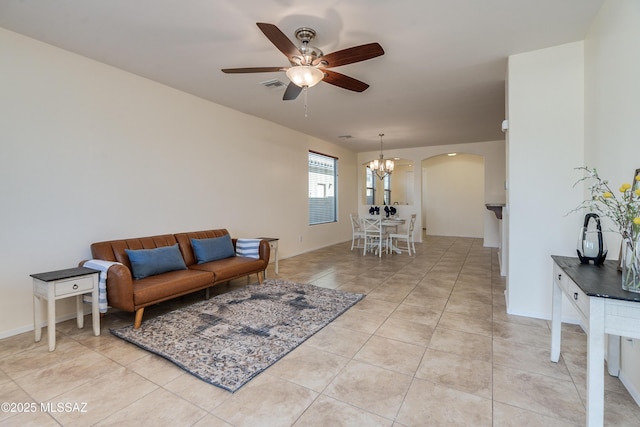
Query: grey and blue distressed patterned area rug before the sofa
pixel 231 338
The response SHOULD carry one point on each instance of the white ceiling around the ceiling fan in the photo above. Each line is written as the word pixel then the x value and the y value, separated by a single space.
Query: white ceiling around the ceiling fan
pixel 441 80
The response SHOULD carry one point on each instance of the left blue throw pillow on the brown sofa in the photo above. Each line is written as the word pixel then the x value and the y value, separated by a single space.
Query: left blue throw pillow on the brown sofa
pixel 149 262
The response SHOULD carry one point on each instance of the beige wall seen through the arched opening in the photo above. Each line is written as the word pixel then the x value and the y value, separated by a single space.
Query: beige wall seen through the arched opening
pixel 454 193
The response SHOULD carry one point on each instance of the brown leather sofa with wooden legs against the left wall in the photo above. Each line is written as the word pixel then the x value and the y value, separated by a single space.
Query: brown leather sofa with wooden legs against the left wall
pixel 133 295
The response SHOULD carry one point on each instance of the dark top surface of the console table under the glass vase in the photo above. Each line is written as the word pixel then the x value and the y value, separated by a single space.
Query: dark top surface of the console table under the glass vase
pixel 603 281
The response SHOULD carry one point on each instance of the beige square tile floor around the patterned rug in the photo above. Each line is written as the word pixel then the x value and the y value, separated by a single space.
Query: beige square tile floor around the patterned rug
pixel 430 345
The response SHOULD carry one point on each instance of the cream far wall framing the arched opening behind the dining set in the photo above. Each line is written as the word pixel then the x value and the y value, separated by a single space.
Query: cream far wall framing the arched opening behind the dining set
pixel 493 153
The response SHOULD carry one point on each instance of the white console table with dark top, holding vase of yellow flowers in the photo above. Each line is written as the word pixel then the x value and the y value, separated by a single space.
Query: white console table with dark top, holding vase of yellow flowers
pixel 604 308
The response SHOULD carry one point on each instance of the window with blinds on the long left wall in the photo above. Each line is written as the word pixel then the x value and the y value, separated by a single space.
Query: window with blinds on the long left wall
pixel 322 188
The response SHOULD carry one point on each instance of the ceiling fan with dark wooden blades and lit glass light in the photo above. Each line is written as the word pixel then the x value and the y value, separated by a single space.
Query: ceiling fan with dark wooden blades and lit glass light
pixel 309 65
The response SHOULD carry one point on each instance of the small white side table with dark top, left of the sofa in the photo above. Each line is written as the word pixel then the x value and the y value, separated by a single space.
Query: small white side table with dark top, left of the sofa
pixel 55 285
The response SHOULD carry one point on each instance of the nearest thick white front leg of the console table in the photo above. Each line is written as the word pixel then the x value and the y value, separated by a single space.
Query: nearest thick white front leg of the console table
pixel 595 363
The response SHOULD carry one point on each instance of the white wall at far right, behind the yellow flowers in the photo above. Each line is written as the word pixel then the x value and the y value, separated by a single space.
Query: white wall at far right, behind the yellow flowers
pixel 612 136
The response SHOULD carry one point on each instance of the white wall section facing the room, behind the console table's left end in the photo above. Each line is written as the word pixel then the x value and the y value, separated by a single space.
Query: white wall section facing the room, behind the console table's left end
pixel 546 133
